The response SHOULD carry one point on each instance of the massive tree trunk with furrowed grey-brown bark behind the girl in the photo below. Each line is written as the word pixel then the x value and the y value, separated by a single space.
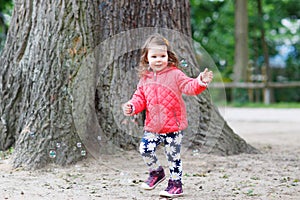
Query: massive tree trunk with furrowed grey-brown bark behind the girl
pixel 69 65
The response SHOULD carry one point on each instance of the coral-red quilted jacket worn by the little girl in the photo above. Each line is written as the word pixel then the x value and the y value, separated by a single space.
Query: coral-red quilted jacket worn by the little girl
pixel 161 95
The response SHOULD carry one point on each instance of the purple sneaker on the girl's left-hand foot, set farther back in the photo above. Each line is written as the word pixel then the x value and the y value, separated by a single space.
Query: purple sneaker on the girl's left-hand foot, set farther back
pixel 156 177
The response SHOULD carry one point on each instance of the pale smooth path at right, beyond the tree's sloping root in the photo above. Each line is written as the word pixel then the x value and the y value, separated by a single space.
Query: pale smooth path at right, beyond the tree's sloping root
pixel 265 125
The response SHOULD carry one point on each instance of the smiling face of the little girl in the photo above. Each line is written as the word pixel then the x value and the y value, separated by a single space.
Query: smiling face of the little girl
pixel 158 57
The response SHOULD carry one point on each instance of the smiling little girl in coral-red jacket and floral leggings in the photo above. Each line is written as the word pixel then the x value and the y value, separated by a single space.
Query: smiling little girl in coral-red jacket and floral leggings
pixel 159 92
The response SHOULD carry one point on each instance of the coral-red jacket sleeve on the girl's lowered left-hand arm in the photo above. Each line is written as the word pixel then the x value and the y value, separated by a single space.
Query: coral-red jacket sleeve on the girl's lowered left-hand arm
pixel 138 100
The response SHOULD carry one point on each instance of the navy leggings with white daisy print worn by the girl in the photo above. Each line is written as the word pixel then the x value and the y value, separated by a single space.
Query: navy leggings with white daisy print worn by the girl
pixel 172 142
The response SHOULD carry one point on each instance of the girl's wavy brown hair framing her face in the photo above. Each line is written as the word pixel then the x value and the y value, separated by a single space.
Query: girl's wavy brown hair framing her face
pixel 158 40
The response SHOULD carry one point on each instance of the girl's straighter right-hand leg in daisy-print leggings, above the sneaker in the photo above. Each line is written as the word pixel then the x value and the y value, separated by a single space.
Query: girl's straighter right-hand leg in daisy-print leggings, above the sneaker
pixel 172 150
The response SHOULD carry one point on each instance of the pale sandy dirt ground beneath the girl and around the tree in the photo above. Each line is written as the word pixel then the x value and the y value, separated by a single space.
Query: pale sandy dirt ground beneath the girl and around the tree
pixel 273 174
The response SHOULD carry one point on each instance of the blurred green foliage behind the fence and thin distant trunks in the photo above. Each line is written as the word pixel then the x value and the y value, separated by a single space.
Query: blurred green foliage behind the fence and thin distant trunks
pixel 213 26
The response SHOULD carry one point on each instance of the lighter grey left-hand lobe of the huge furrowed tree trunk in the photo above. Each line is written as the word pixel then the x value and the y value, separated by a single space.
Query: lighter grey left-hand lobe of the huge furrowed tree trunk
pixel 44 48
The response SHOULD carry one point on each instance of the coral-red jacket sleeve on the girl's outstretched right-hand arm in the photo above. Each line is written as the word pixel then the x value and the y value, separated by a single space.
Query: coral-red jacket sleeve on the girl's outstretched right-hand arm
pixel 190 86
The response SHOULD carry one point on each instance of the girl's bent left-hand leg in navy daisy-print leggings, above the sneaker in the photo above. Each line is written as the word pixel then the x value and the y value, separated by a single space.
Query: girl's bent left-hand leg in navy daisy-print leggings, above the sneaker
pixel 147 149
